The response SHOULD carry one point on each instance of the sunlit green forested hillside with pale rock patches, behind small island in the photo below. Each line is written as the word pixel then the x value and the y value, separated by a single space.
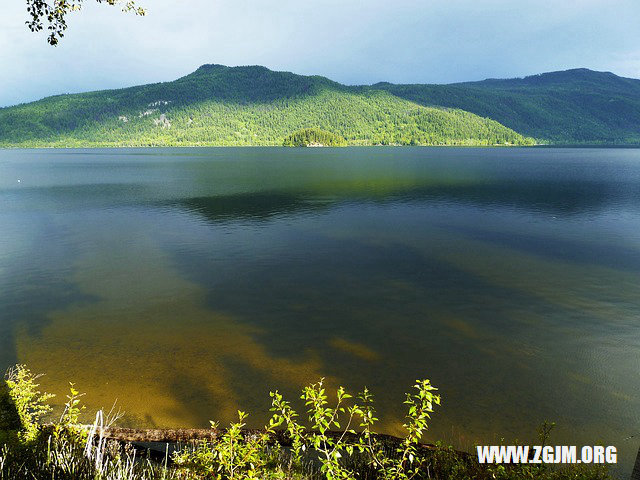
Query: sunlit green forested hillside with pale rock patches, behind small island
pixel 218 105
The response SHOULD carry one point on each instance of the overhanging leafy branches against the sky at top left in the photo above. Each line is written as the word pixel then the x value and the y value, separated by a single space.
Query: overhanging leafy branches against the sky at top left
pixel 52 14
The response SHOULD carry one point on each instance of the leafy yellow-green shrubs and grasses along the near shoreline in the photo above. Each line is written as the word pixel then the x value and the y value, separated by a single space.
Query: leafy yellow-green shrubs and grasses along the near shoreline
pixel 335 441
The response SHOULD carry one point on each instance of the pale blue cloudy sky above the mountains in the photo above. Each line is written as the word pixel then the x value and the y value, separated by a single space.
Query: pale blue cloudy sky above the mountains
pixel 350 41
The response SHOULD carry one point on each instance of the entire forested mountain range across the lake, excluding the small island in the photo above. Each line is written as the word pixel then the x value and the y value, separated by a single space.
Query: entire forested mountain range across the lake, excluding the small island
pixel 218 105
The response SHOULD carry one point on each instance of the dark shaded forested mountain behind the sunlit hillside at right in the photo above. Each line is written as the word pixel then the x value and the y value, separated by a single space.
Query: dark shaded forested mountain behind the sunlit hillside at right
pixel 573 106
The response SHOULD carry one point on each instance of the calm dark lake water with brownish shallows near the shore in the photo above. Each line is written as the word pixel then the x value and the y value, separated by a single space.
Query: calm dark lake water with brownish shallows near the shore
pixel 187 283
